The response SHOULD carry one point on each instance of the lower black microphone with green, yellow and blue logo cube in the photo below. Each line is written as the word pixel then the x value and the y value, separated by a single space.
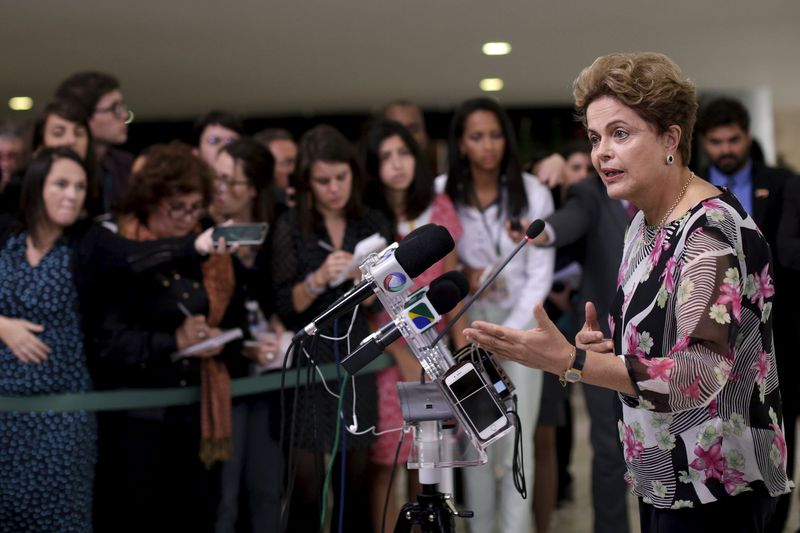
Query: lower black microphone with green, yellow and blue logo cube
pixel 422 311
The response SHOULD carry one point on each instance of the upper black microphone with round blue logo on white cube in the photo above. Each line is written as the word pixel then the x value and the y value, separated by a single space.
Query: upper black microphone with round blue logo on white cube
pixel 411 257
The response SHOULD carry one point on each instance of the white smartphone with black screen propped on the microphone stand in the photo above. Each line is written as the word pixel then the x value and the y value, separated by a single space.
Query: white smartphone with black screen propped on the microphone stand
pixel 474 399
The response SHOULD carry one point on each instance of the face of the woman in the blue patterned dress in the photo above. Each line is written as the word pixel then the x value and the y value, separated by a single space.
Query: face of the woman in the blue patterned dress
pixel 63 192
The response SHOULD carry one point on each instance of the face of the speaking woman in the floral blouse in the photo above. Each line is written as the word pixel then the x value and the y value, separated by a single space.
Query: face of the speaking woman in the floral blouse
pixel 626 151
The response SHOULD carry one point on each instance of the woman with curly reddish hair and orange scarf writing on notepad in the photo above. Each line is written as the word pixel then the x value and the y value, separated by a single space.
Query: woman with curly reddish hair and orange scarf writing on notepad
pixel 158 467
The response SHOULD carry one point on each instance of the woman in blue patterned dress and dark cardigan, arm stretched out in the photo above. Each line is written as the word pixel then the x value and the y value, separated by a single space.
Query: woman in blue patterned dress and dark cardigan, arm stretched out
pixel 50 266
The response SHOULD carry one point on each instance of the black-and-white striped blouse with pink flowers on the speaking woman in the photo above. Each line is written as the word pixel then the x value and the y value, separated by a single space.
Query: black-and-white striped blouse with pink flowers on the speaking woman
pixel 692 320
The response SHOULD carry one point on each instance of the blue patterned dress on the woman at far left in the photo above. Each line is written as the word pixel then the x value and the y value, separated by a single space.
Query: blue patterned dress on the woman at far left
pixel 46 459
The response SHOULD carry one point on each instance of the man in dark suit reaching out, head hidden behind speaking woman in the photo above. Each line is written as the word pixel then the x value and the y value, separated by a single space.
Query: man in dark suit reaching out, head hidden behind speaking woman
pixel 589 212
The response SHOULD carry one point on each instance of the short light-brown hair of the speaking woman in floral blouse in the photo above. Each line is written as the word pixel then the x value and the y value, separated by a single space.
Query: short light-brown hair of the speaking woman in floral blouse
pixel 651 84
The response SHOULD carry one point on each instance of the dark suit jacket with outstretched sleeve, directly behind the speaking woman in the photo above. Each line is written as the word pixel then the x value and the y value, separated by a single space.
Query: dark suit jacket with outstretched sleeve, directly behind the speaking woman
pixel 589 212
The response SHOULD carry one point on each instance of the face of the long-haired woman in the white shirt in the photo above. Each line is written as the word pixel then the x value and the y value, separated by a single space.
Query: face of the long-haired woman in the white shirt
pixel 483 142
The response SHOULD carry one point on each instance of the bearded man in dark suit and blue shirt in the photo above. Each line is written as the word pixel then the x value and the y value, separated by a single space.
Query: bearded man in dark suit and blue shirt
pixel 723 127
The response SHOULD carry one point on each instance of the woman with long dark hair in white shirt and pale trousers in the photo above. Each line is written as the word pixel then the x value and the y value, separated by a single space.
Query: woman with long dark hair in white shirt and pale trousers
pixel 489 190
